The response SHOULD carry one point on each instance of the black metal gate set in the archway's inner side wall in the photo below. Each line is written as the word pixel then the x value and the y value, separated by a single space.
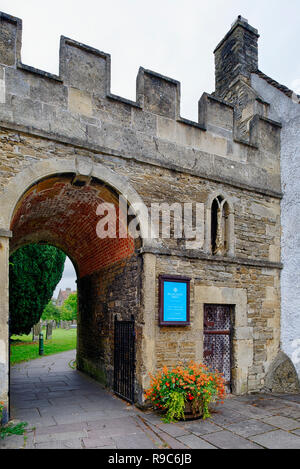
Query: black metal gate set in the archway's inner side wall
pixel 124 359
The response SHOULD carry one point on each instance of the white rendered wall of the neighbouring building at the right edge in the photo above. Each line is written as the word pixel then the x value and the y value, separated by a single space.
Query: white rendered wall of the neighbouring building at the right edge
pixel 287 111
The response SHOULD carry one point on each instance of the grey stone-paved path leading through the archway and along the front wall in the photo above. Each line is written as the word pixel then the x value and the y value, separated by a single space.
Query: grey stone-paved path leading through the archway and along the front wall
pixel 66 409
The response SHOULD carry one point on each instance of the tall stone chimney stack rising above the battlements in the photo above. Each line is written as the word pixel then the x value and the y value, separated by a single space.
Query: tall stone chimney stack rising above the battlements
pixel 236 56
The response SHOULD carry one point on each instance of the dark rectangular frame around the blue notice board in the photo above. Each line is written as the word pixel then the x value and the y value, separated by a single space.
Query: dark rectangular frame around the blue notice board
pixel 175 279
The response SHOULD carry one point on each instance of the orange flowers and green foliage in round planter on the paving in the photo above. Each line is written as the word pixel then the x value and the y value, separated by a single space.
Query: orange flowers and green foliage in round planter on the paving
pixel 186 391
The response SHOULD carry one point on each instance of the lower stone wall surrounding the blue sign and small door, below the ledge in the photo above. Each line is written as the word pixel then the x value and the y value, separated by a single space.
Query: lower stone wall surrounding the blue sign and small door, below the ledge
pixel 256 338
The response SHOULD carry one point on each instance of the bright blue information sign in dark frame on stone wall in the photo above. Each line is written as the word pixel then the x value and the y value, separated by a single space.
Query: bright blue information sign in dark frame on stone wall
pixel 174 300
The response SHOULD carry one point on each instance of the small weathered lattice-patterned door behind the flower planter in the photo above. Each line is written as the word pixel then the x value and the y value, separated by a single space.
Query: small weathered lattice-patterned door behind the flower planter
pixel 217 339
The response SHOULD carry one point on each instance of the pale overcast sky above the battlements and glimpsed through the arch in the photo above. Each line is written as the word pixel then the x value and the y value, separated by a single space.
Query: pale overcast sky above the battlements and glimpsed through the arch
pixel 173 37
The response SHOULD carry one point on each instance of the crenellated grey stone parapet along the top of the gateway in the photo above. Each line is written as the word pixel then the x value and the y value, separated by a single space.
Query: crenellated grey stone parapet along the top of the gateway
pixel 77 107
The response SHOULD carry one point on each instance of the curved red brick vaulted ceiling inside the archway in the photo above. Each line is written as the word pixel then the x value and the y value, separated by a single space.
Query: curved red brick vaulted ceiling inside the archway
pixel 59 212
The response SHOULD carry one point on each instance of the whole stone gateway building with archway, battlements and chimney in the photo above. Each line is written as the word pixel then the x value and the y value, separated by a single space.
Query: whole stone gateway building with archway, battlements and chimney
pixel 71 152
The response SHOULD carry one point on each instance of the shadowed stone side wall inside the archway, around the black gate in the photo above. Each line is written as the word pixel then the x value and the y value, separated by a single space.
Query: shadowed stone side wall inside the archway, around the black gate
pixel 114 291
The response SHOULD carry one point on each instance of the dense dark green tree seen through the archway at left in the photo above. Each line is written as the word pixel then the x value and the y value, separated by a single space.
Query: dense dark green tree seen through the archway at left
pixel 35 270
